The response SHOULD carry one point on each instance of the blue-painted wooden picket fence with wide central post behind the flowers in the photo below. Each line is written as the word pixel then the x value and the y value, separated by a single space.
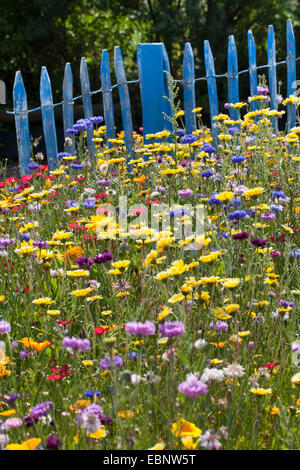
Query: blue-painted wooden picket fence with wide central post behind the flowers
pixel 152 62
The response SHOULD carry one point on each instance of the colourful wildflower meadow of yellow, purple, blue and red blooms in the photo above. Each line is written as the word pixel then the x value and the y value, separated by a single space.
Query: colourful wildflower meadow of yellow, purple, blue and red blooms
pixel 118 336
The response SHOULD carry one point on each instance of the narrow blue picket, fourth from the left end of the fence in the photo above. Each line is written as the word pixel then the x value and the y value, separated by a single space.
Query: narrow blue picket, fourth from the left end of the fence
pixel 87 104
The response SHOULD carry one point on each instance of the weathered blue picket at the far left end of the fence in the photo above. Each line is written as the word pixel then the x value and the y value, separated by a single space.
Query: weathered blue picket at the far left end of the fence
pixel 22 124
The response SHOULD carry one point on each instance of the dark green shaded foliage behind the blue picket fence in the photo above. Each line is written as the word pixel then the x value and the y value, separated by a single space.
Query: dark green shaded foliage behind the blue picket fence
pixel 38 32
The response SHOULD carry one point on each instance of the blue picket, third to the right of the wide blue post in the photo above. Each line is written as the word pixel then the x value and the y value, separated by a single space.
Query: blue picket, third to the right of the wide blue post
pixel 233 80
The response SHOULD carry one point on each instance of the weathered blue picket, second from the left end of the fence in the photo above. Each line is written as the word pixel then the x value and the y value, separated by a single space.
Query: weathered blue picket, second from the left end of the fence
pixel 48 119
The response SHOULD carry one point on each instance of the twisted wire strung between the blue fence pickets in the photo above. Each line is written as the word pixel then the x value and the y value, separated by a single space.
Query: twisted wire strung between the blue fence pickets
pixel 224 75
